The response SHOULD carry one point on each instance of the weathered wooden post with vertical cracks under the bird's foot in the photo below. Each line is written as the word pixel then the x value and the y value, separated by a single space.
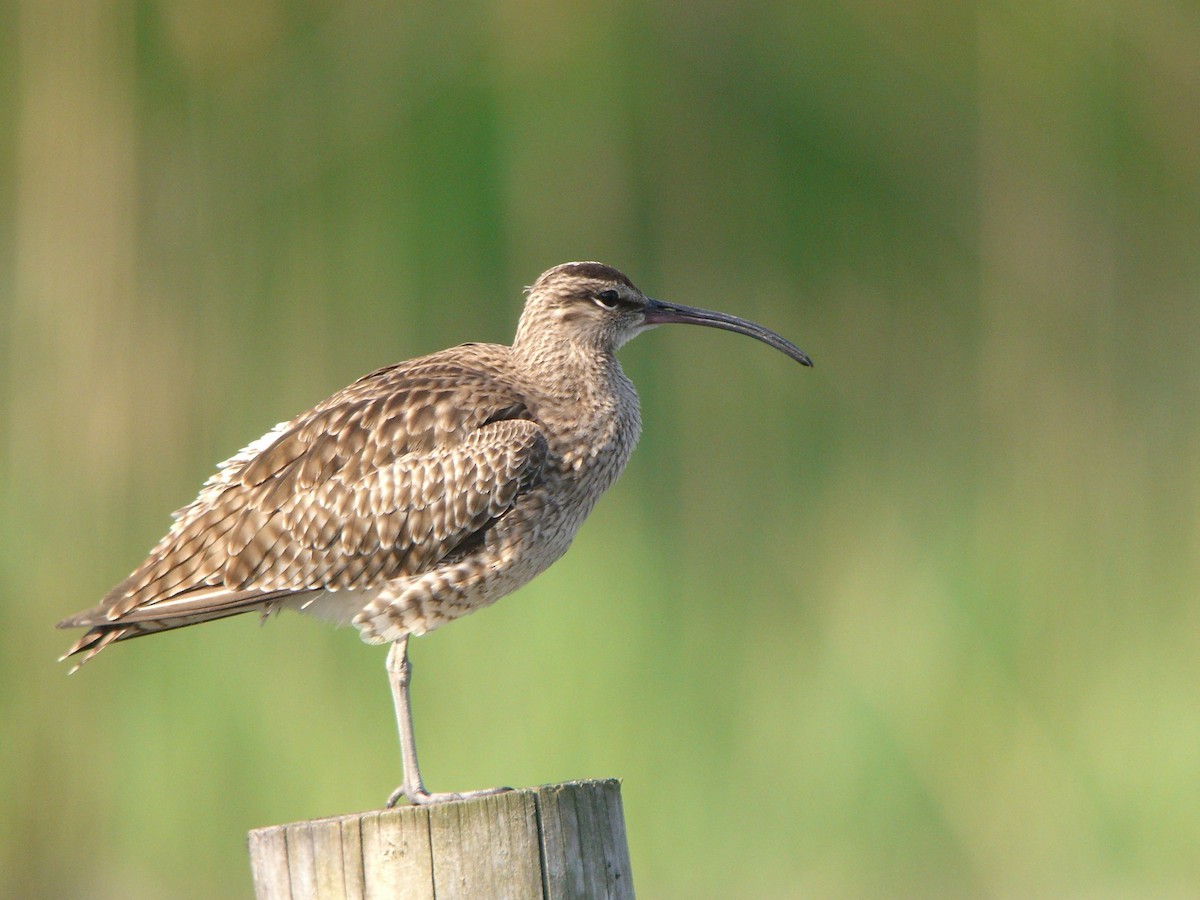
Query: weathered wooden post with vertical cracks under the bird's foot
pixel 555 842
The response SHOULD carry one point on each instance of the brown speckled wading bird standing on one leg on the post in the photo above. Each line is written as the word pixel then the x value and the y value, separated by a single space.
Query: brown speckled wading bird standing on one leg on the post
pixel 422 493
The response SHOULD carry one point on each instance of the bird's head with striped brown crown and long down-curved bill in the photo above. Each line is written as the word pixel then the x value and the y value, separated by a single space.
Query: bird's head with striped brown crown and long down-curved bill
pixel 595 308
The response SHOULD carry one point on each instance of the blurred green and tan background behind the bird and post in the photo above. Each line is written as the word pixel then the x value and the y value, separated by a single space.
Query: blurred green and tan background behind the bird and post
pixel 921 622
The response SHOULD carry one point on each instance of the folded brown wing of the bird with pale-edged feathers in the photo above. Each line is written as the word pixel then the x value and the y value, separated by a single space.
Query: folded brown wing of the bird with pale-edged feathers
pixel 380 482
